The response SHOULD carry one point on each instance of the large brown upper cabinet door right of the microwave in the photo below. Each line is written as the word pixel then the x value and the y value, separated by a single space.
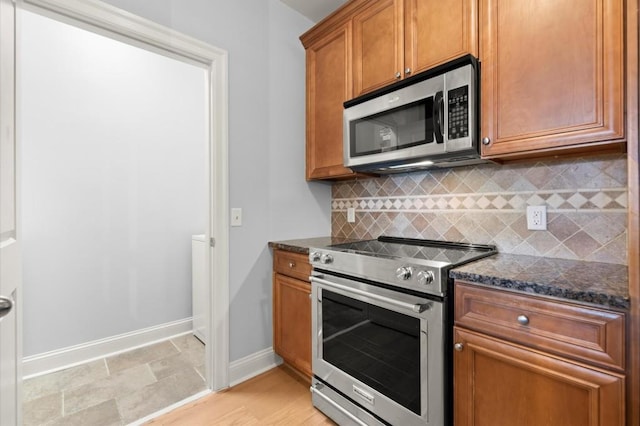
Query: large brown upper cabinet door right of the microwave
pixel 552 75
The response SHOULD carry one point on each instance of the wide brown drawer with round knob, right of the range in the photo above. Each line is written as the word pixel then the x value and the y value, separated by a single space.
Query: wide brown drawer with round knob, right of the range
pixel 577 332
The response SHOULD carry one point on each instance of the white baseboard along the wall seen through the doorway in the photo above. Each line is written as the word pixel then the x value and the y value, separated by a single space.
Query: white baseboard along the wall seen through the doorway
pixel 59 359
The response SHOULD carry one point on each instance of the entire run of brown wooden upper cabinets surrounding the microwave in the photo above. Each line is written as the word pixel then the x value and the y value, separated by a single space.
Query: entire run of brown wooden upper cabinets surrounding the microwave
pixel 552 73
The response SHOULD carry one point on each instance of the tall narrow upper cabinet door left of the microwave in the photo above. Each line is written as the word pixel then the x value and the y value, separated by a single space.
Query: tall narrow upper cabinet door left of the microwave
pixel 328 87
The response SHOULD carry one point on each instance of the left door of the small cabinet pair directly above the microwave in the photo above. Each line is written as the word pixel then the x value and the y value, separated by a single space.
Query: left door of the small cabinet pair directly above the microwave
pixel 378 53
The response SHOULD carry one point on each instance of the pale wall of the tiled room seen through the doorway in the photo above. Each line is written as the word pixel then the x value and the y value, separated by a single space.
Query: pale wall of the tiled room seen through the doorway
pixel 113 177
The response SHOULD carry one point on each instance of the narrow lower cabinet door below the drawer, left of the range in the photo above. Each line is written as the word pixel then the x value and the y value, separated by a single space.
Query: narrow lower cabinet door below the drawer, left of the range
pixel 292 321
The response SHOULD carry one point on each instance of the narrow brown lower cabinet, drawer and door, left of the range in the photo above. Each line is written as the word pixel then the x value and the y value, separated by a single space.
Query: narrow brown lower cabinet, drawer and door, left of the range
pixel 292 310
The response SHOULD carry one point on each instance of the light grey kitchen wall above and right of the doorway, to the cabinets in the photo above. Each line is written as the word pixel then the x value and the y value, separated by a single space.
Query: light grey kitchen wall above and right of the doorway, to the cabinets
pixel 266 142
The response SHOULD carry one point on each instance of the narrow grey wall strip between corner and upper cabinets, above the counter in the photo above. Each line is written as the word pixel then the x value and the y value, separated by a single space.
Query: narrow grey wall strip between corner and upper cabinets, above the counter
pixel 299 208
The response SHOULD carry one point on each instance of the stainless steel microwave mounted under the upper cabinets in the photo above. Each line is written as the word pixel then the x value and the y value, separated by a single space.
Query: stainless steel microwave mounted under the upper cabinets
pixel 429 120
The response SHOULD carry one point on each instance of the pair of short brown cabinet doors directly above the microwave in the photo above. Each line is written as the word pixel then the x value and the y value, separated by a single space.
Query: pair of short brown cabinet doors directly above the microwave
pixel 393 39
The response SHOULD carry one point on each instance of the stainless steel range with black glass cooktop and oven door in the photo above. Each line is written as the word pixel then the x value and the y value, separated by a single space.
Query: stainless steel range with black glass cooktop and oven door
pixel 382 323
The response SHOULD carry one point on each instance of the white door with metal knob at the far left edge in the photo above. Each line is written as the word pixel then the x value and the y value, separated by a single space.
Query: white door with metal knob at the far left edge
pixel 10 347
